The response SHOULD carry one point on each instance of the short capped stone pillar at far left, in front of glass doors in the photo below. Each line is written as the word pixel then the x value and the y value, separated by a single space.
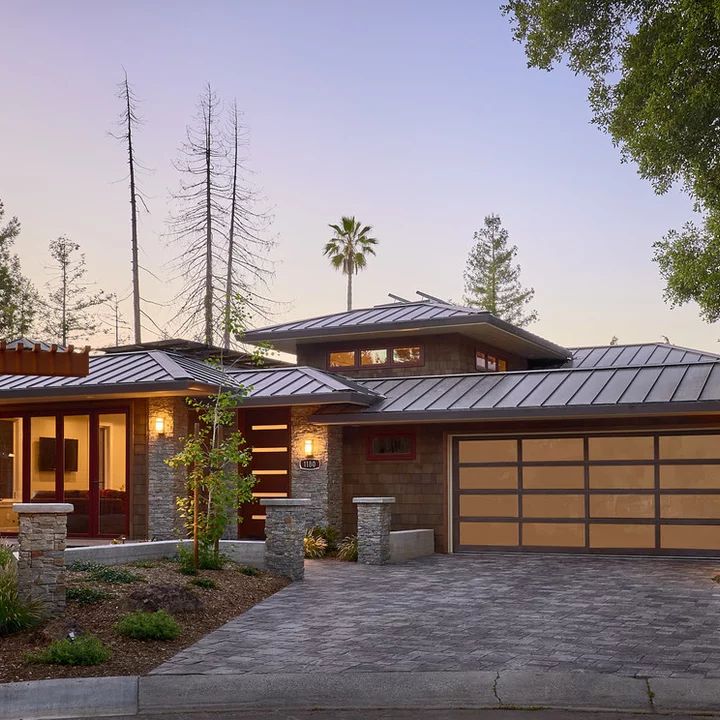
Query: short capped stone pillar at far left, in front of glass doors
pixel 41 560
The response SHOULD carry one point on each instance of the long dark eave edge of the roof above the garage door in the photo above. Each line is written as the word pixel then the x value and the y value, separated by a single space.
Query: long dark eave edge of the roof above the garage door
pixel 503 414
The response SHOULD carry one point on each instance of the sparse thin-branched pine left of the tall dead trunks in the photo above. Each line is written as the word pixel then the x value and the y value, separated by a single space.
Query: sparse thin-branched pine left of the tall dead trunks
pixel 69 306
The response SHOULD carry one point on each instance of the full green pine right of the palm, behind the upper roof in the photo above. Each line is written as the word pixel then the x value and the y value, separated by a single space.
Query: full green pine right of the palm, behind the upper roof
pixel 492 278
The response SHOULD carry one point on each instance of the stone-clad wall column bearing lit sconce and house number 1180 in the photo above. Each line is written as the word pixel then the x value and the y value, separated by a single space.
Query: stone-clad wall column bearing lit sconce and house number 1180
pixel 322 486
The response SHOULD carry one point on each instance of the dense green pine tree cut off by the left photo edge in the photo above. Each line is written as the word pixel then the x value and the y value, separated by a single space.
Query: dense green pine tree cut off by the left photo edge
pixel 18 297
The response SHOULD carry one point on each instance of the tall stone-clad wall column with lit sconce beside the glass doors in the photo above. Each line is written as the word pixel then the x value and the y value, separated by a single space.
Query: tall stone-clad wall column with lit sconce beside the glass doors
pixel 165 485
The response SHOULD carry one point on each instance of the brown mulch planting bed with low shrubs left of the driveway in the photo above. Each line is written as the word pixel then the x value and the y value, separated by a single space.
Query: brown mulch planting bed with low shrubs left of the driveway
pixel 210 599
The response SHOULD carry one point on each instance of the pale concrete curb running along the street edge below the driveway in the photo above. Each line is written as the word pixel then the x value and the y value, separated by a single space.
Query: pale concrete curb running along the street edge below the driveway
pixel 159 693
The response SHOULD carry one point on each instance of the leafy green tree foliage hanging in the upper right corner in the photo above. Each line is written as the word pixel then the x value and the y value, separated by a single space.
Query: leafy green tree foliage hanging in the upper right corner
pixel 654 72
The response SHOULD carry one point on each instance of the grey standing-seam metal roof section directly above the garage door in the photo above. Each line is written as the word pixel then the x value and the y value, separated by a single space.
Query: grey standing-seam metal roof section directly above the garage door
pixel 558 392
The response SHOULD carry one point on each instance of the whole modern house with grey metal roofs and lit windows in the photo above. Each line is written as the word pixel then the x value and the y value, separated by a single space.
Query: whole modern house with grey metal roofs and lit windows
pixel 492 436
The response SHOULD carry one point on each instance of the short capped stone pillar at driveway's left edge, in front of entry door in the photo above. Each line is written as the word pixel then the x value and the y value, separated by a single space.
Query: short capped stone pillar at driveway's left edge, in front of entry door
pixel 285 526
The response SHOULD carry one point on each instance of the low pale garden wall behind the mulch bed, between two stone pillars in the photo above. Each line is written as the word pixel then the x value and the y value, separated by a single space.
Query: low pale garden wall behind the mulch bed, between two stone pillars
pixel 243 552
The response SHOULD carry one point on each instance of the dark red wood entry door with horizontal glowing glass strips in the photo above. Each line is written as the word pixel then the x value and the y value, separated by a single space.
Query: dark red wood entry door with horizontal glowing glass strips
pixel 267 433
